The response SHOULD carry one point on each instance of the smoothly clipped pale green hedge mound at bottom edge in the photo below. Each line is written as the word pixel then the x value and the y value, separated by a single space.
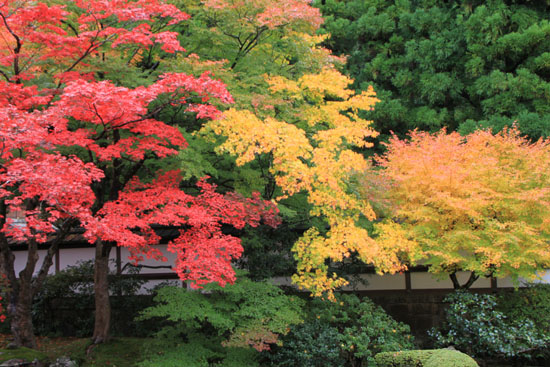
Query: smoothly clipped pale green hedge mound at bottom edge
pixel 425 358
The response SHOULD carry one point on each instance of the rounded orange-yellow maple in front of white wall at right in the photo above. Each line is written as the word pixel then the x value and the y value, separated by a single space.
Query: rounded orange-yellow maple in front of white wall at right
pixel 477 203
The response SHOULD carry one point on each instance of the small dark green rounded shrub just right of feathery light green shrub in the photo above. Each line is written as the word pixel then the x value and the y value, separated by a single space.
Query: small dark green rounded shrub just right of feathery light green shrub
pixel 311 344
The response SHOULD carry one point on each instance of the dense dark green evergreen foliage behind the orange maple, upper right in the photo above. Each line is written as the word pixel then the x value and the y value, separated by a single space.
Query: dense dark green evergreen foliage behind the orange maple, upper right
pixel 460 64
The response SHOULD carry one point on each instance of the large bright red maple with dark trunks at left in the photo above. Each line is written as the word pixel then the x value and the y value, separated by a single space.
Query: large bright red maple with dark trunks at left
pixel 72 148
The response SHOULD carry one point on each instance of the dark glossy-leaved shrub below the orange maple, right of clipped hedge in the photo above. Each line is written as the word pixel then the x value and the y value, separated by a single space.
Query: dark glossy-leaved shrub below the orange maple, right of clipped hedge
pixel 474 326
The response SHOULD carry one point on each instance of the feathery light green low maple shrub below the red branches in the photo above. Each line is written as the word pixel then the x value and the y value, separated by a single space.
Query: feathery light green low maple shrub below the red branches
pixel 220 326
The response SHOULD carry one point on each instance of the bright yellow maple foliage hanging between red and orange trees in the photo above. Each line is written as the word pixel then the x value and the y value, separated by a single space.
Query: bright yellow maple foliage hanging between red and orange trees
pixel 312 148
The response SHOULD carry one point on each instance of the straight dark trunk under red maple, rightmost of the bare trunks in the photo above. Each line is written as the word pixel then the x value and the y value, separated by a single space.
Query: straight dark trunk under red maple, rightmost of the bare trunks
pixel 101 289
